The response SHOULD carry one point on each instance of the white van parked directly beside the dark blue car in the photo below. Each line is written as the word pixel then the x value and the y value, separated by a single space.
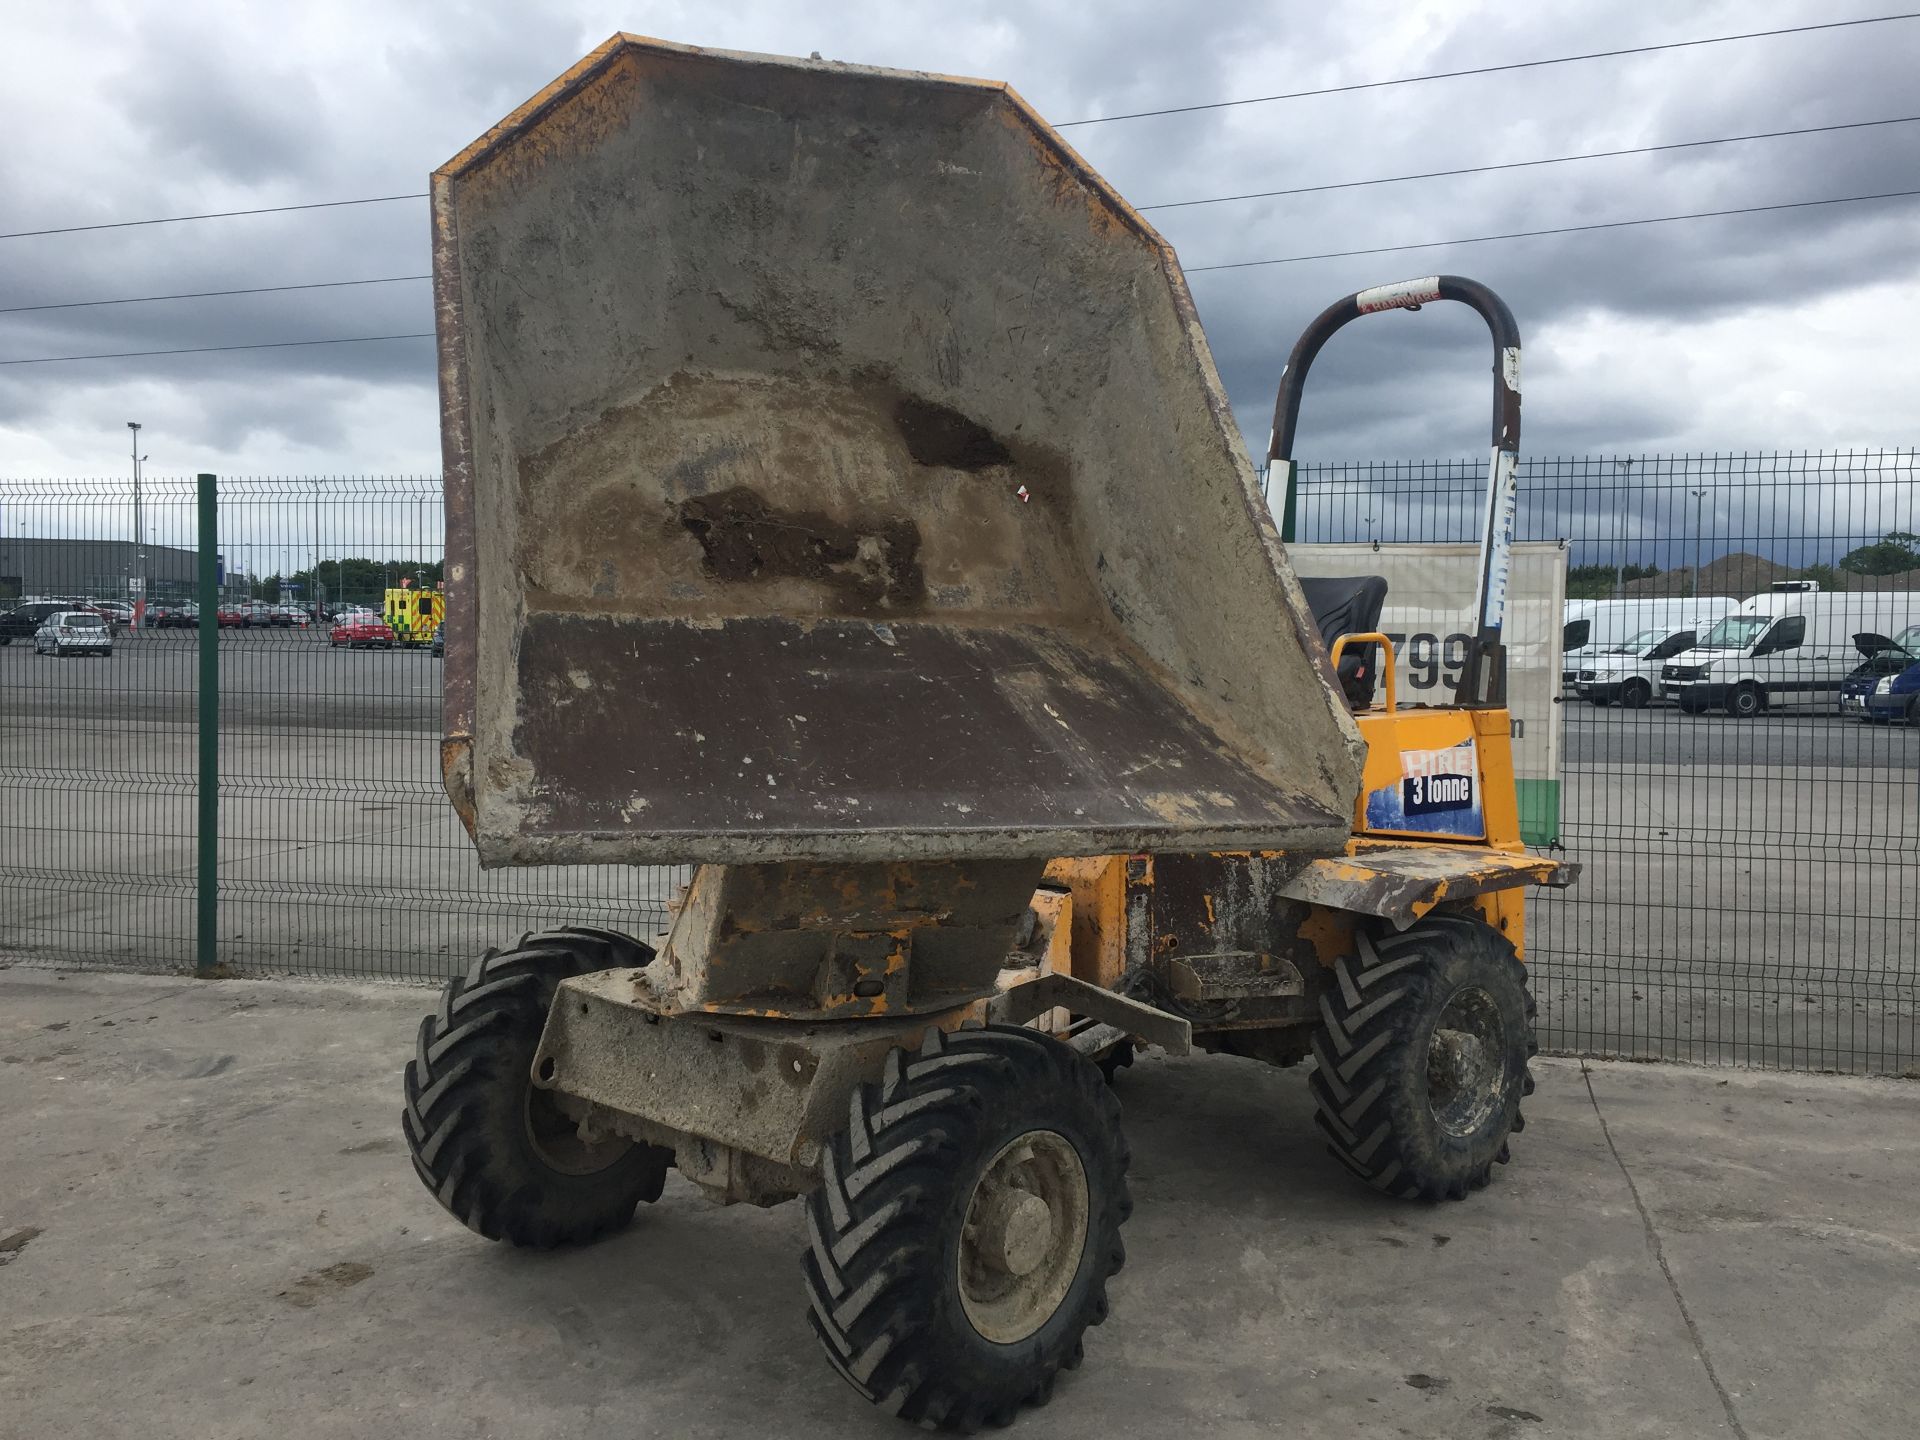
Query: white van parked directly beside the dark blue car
pixel 1785 650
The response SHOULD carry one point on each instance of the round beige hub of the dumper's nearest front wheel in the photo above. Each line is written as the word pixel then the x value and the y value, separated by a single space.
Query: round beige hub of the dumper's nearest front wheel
pixel 1022 1236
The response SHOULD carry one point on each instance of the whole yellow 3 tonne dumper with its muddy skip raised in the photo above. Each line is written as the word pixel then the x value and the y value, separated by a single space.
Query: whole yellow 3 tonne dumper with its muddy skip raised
pixel 842 500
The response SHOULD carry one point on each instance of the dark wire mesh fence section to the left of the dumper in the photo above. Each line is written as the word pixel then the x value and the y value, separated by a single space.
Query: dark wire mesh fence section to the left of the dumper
pixel 339 852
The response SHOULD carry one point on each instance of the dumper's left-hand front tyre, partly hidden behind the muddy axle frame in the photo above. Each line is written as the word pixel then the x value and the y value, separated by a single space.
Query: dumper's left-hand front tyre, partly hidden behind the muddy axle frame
pixel 492 1147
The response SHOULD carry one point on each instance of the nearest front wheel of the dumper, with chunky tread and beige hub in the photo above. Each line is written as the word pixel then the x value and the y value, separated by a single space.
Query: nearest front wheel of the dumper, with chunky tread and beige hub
pixel 967 1226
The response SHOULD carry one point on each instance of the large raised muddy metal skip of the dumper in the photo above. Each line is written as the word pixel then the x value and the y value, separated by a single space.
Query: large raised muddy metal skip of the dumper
pixel 836 469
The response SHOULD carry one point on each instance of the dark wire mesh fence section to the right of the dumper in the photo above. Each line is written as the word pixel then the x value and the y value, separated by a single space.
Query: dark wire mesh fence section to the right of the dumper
pixel 1752 888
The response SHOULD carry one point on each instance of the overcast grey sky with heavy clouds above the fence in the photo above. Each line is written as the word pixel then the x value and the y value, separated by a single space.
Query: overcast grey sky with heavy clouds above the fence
pixel 1790 329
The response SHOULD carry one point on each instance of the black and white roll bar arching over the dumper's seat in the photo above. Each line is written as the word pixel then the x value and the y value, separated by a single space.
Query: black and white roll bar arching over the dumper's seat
pixel 1485 679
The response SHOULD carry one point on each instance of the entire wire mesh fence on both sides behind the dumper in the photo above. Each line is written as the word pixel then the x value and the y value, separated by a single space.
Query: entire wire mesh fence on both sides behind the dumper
pixel 1750 892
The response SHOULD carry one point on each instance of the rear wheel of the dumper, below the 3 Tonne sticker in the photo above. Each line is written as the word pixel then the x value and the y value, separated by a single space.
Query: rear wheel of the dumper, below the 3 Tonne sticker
pixel 1422 1057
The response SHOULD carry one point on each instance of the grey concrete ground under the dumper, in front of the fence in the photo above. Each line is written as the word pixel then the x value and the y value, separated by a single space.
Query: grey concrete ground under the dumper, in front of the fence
pixel 208 1228
